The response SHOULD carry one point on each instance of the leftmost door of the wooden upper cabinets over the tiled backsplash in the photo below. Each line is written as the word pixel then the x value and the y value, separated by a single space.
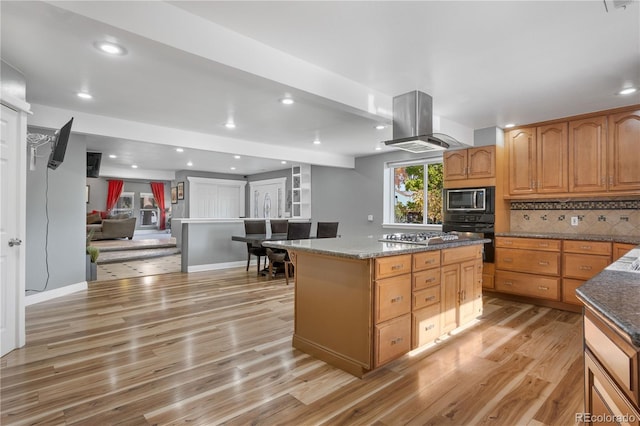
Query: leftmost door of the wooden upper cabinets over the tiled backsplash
pixel 521 160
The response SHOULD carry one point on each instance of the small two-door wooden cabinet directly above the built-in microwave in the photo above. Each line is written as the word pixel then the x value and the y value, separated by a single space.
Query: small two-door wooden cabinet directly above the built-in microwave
pixel 472 166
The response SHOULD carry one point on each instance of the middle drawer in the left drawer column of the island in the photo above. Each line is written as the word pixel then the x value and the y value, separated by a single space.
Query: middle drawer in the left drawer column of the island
pixel 393 297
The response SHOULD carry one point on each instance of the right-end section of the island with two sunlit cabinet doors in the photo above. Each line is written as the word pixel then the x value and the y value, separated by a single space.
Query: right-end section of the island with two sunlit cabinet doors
pixel 461 286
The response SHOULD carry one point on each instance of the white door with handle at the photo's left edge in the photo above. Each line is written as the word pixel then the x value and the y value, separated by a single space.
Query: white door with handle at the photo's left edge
pixel 10 248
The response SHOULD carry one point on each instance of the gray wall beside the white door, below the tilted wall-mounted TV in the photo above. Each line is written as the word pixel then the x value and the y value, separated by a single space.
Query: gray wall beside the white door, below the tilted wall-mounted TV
pixel 63 196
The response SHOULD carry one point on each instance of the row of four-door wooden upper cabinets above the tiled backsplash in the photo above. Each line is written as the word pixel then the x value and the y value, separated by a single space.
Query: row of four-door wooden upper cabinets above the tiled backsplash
pixel 595 155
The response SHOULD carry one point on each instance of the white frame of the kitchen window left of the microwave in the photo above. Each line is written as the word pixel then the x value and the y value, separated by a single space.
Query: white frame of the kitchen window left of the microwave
pixel 389 195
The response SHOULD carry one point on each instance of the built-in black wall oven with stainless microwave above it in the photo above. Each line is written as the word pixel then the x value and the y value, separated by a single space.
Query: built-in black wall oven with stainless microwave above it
pixel 471 212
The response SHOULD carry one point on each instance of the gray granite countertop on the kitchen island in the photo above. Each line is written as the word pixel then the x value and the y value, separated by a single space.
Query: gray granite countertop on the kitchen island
pixel 365 247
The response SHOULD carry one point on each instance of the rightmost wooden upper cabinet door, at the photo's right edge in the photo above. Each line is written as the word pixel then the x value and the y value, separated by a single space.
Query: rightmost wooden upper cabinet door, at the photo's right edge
pixel 623 154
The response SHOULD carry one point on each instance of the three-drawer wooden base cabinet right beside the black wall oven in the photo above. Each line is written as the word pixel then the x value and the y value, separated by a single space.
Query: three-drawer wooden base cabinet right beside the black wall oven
pixel 528 267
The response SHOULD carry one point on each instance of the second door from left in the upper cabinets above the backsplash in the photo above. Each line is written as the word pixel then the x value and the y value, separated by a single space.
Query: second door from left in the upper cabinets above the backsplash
pixel 552 162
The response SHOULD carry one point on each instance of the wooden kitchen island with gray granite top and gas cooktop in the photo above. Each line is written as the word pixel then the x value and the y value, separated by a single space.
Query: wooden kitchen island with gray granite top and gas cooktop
pixel 361 303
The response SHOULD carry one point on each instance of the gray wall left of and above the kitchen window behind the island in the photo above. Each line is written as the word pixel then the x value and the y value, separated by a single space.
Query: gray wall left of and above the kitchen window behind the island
pixel 350 195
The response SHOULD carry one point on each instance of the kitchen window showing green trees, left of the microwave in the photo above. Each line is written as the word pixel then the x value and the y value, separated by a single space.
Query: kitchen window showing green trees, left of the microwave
pixel 414 193
